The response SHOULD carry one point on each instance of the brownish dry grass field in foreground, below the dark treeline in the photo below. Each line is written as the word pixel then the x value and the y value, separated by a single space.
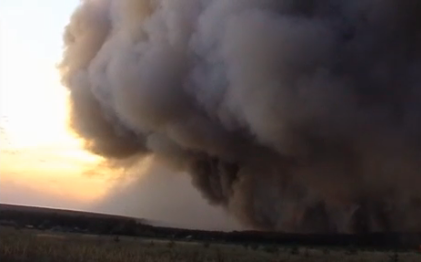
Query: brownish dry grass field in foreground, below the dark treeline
pixel 37 246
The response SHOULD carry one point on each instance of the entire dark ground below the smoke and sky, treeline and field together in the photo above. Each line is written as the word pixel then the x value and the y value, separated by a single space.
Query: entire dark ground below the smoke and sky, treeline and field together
pixel 40 234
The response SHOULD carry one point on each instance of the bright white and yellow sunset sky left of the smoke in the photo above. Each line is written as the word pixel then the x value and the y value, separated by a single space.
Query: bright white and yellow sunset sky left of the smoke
pixel 41 161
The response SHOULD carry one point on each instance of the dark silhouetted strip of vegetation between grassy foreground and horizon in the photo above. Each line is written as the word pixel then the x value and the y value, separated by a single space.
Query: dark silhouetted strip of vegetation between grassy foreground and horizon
pixel 81 222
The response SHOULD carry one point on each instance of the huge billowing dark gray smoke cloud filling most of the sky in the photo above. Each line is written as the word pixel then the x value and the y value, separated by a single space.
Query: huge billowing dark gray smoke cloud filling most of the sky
pixel 295 115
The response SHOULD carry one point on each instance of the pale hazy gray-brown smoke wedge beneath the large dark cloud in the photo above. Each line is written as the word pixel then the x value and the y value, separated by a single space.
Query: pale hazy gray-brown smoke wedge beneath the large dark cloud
pixel 163 198
